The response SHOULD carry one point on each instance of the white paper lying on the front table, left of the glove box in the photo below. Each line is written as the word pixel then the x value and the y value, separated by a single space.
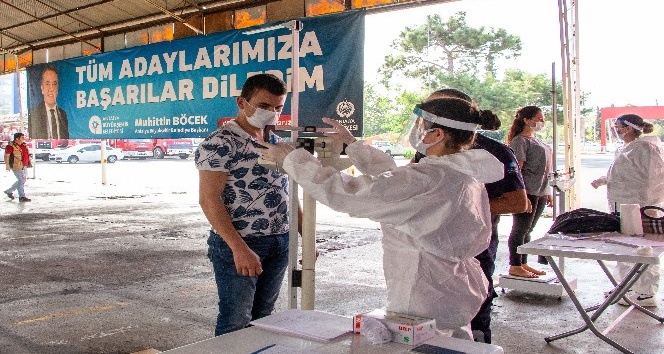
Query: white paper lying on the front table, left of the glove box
pixel 314 325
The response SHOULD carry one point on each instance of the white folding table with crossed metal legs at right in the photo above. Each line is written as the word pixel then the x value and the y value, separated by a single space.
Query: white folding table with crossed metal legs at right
pixel 551 246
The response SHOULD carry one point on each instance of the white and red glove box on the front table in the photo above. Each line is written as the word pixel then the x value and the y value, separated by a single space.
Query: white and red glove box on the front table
pixel 412 330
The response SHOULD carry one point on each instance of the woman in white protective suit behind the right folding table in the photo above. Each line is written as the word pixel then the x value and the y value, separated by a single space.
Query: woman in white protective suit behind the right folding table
pixel 636 176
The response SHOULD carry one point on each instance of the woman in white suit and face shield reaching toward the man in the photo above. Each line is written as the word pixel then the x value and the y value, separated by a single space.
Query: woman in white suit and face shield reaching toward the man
pixel 434 215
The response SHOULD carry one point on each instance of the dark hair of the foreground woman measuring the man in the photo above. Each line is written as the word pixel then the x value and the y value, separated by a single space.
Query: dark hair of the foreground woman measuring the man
pixel 458 110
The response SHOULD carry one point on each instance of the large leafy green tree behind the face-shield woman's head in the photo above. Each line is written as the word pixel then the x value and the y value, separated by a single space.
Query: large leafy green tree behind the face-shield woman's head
pixel 453 55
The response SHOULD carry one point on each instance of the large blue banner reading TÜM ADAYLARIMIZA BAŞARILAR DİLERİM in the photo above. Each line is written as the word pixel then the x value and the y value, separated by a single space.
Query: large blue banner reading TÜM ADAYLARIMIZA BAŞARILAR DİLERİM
pixel 184 88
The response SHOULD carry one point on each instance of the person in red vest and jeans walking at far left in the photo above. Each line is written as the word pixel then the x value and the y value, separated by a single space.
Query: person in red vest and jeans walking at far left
pixel 17 160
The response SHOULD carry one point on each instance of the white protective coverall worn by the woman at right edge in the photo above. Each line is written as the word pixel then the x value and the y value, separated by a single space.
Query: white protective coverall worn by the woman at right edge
pixel 636 176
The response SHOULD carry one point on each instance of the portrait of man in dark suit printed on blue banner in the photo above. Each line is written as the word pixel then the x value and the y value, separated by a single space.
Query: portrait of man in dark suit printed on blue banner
pixel 46 120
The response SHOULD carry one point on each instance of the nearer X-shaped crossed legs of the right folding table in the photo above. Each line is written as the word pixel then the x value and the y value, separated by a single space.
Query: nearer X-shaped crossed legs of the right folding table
pixel 629 280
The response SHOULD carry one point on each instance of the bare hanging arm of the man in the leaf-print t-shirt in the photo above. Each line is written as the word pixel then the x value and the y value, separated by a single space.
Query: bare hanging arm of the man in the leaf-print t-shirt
pixel 211 185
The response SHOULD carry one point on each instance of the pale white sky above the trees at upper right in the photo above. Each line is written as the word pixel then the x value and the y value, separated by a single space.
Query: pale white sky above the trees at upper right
pixel 619 50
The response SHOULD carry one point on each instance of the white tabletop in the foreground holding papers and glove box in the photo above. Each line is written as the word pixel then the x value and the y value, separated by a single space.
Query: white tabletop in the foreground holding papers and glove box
pixel 251 339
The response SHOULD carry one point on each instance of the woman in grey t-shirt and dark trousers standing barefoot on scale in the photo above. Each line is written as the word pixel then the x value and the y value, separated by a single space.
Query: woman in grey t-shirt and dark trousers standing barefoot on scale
pixel 535 161
